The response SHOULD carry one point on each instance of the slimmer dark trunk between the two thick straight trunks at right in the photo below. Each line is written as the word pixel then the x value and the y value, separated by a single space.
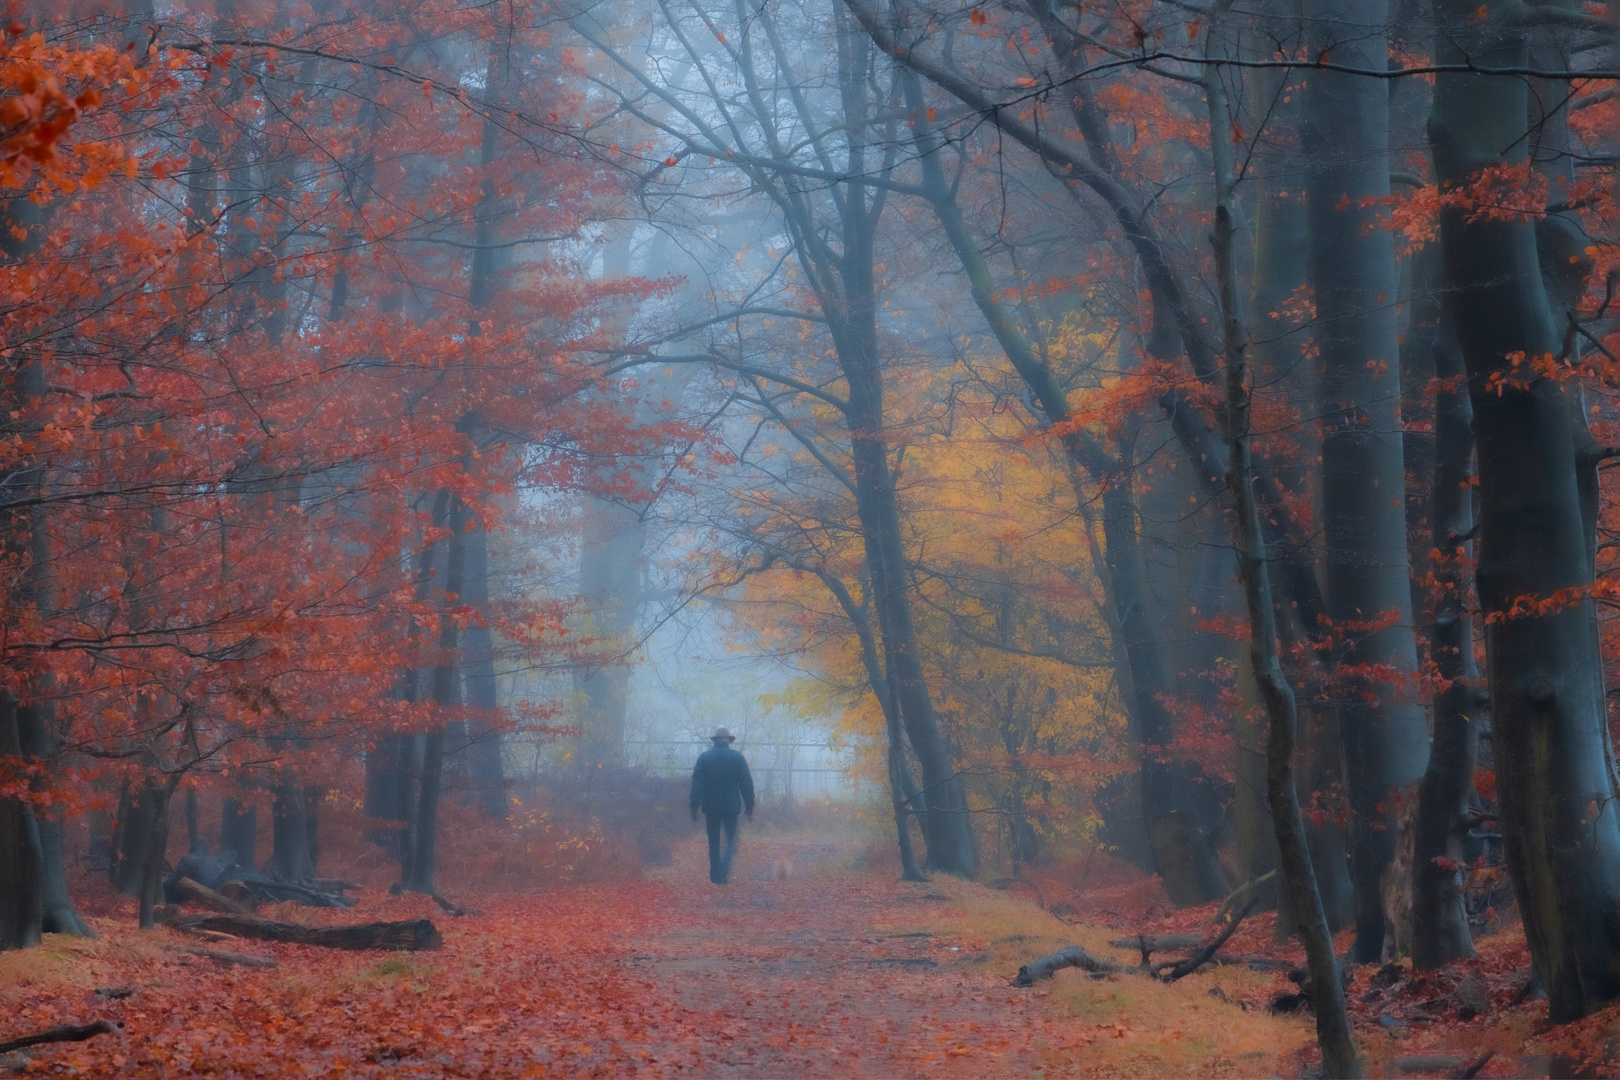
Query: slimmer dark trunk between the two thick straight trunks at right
pixel 1441 830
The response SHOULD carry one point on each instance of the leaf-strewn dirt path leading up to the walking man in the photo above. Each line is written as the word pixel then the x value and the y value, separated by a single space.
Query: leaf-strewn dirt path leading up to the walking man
pixel 816 976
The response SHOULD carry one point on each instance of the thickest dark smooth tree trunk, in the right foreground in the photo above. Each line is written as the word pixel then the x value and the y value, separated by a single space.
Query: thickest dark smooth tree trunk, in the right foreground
pixel 1556 772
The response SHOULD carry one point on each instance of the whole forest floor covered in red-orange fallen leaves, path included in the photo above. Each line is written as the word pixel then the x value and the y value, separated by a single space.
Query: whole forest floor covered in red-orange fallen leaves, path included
pixel 808 966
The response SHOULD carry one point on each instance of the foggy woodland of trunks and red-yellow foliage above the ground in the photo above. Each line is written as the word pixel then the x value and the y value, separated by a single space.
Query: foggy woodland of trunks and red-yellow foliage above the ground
pixel 1175 430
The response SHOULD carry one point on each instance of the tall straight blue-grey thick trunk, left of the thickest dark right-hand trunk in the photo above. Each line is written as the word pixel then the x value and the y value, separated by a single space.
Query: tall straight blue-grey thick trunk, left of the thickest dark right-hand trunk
pixel 1354 276
